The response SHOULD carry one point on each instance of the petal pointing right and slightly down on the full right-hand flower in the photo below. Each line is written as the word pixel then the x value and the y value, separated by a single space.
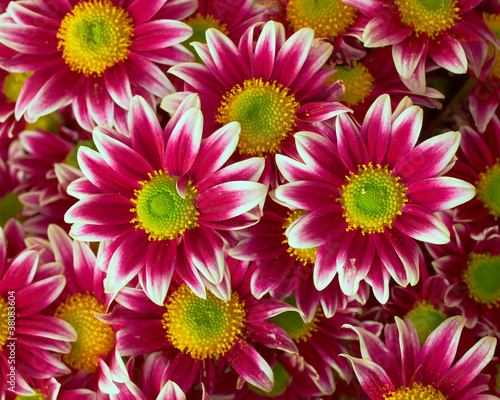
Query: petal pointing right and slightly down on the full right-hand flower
pixel 419 224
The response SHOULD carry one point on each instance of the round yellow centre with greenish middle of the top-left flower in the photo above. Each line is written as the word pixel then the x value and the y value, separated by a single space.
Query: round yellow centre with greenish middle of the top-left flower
pixel 94 36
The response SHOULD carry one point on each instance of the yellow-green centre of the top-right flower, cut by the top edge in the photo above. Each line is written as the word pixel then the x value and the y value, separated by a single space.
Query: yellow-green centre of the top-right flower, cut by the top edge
pixel 428 16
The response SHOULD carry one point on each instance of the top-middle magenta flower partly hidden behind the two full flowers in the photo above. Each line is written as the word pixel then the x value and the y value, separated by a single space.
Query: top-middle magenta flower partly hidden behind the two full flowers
pixel 272 86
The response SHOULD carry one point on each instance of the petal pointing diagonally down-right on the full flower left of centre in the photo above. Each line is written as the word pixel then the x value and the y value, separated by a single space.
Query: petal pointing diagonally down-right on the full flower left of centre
pixel 205 250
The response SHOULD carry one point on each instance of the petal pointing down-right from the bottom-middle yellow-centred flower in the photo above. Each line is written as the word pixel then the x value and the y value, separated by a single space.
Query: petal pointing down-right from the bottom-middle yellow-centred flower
pixel 250 365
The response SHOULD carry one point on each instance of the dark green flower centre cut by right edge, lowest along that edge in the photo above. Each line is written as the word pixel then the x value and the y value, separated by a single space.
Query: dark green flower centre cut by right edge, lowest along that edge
pixel 483 279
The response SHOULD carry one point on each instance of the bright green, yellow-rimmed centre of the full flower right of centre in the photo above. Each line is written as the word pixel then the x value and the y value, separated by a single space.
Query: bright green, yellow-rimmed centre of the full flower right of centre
pixel 372 198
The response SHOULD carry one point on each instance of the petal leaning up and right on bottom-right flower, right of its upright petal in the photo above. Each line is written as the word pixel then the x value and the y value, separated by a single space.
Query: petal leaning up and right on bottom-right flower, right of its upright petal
pixel 438 351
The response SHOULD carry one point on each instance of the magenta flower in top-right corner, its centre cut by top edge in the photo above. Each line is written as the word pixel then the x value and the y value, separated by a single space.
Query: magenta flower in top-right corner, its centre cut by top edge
pixel 450 32
